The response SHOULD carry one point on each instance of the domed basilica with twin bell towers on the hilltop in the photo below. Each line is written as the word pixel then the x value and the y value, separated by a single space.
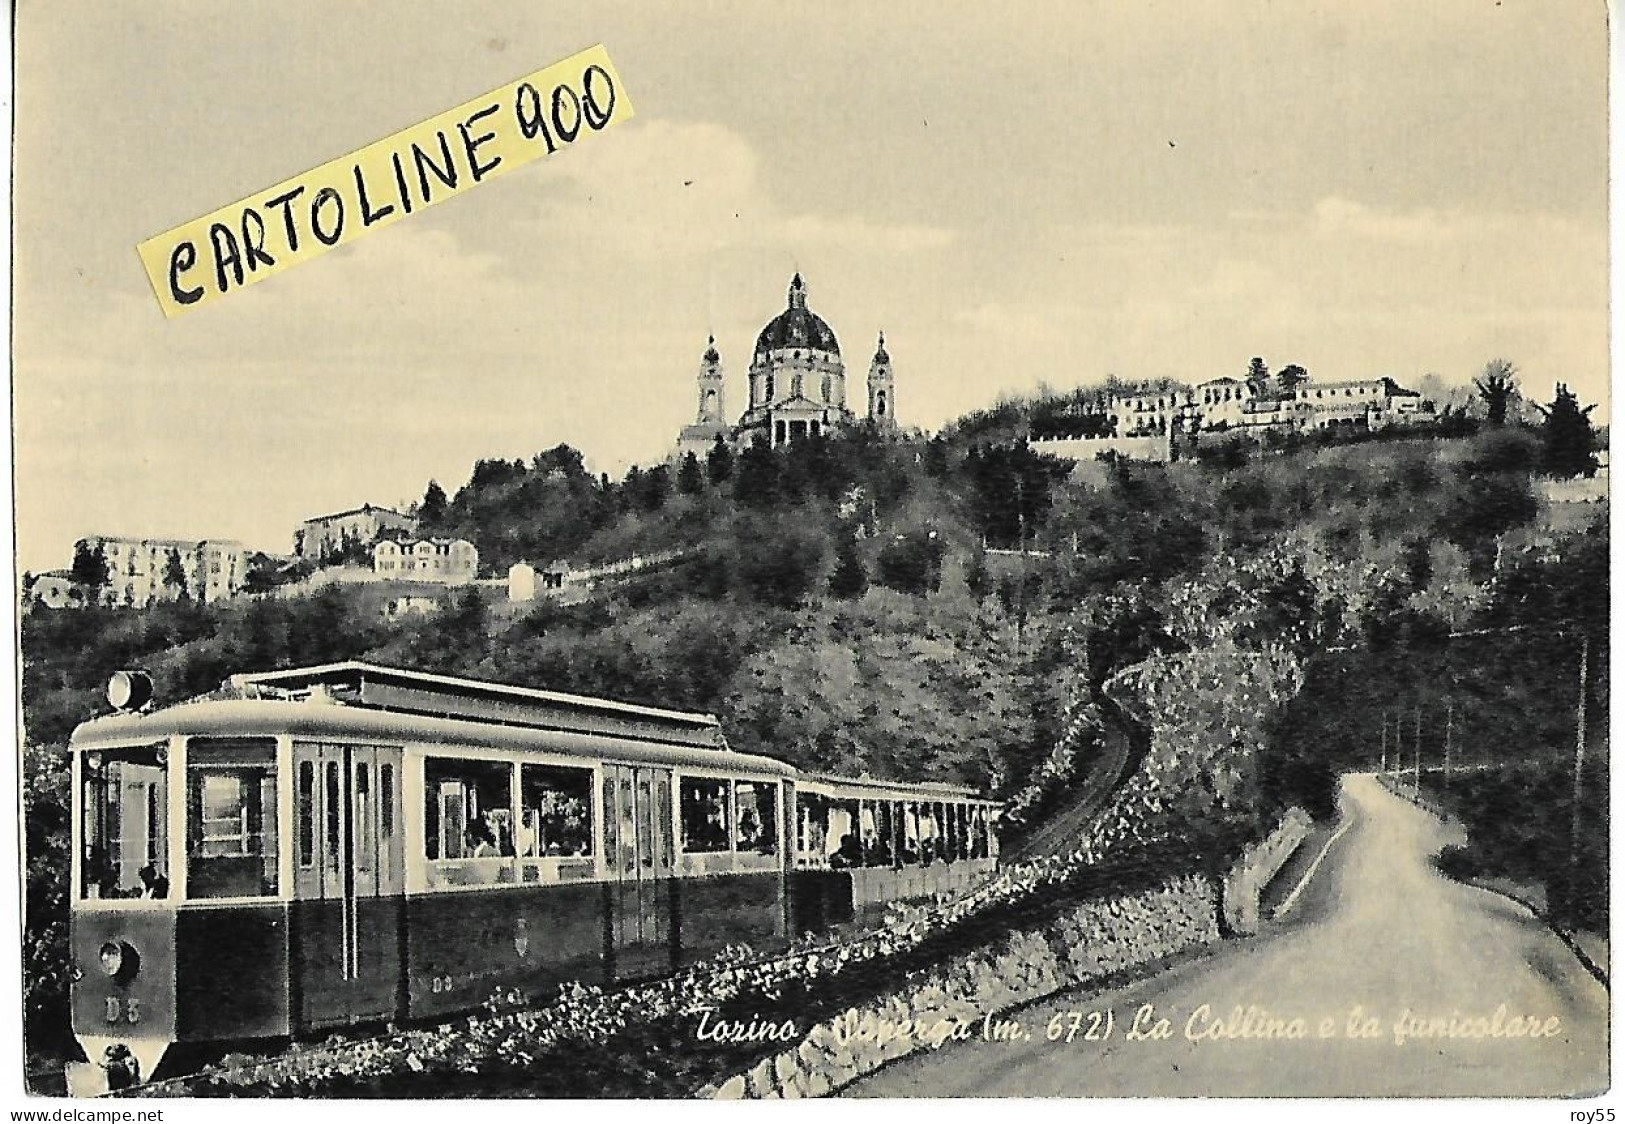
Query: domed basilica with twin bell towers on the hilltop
pixel 799 386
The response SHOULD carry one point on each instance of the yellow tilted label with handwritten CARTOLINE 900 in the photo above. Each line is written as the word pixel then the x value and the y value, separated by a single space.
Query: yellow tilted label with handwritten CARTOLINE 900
pixel 384 183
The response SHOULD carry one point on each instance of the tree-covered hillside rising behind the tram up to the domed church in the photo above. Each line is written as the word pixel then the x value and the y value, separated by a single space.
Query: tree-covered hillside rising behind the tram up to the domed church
pixel 937 610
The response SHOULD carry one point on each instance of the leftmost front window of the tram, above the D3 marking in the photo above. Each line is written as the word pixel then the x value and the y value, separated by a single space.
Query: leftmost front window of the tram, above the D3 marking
pixel 124 808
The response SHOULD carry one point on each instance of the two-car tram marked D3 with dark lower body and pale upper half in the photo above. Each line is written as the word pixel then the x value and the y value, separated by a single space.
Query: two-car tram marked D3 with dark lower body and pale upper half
pixel 324 847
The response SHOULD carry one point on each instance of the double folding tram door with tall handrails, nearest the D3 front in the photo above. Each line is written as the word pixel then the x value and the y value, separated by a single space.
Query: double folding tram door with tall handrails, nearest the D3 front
pixel 349 881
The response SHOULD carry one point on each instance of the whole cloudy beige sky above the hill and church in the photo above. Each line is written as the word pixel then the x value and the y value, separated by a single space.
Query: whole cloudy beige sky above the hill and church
pixel 1020 196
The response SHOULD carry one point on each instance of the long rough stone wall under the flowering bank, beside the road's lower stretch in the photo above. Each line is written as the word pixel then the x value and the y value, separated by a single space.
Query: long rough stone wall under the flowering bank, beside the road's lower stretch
pixel 1081 946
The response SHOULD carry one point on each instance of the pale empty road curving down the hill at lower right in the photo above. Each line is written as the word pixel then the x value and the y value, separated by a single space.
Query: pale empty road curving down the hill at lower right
pixel 1377 928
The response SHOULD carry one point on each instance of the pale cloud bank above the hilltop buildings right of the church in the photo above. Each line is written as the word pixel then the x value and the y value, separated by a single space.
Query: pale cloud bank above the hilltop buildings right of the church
pixel 1346 288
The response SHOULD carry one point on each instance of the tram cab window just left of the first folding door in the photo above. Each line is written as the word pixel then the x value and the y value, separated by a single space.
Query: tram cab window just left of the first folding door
pixel 232 818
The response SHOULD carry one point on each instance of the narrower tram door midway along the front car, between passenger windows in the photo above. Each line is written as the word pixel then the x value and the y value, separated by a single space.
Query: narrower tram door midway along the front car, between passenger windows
pixel 641 857
